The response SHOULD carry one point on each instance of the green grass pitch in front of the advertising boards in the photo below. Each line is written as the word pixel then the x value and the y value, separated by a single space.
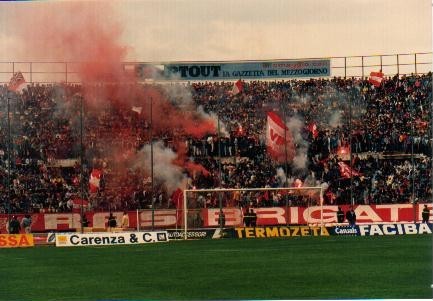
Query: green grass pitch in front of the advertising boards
pixel 291 268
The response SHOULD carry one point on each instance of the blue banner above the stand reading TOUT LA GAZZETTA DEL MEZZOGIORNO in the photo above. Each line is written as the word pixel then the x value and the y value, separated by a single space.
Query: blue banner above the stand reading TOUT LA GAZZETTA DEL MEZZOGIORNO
pixel 234 71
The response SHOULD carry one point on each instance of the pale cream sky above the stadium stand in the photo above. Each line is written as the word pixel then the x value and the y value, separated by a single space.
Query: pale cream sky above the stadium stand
pixel 197 30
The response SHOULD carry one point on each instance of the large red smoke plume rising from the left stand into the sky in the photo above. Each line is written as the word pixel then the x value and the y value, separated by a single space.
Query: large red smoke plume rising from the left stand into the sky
pixel 89 33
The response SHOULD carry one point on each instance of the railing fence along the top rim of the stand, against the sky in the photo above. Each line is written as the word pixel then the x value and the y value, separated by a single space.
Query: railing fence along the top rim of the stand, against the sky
pixel 348 66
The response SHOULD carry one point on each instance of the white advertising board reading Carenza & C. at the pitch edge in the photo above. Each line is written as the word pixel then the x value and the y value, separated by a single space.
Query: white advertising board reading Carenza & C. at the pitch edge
pixel 107 239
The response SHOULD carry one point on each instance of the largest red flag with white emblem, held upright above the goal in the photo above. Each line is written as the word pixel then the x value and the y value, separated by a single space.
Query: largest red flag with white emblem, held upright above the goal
pixel 276 145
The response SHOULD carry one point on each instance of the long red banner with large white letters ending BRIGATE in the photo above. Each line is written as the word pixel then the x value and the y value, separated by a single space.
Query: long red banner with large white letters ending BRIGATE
pixel 170 218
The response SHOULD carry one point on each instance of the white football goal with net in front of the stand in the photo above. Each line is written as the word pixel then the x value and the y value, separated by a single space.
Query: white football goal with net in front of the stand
pixel 237 207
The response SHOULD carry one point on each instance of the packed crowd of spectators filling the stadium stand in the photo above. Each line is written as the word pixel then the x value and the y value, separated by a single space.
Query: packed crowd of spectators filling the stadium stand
pixel 386 127
